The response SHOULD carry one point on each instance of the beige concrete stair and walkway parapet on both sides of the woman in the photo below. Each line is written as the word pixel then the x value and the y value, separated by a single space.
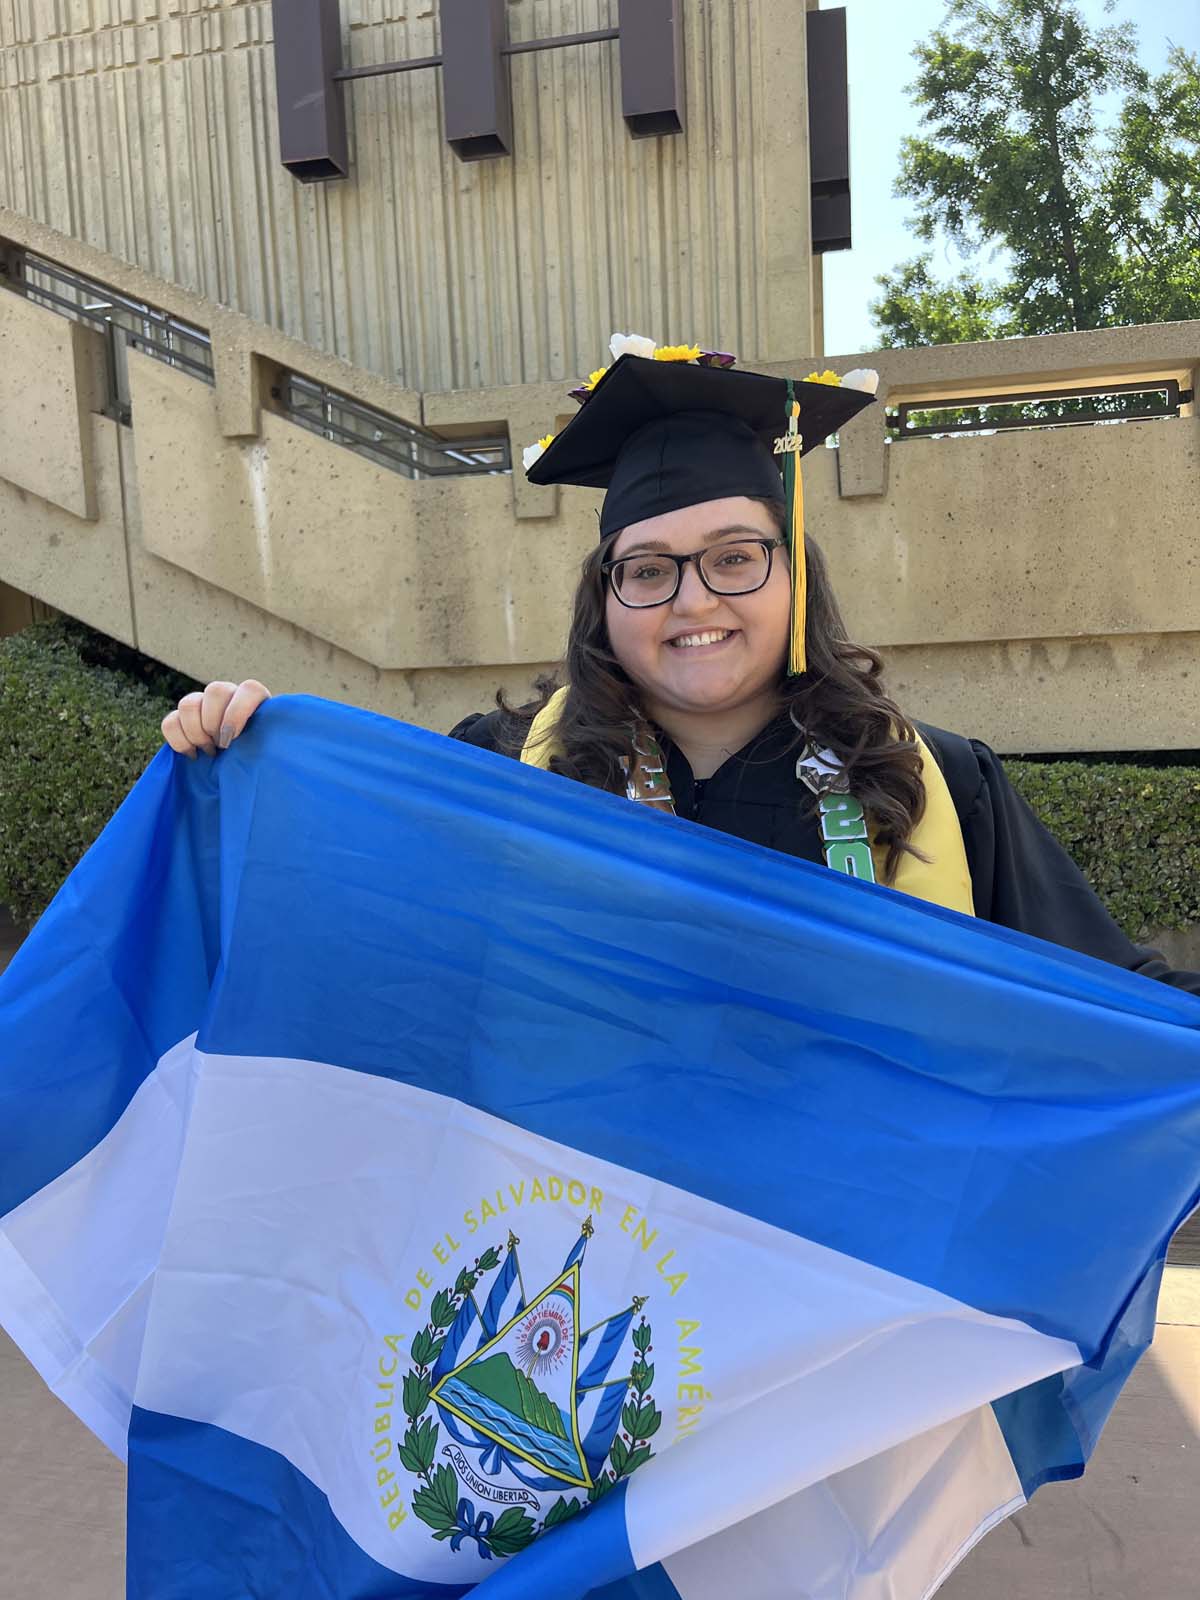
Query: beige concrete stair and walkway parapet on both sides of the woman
pixel 1041 590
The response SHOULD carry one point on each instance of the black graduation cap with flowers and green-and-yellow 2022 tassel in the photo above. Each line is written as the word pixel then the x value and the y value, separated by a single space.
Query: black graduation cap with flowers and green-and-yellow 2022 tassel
pixel 665 434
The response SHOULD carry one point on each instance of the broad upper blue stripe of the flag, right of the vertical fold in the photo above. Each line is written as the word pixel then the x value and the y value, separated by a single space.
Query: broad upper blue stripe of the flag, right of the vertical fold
pixel 1010 1057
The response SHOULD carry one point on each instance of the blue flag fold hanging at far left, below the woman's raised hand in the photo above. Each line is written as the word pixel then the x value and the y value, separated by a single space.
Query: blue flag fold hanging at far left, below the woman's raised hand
pixel 87 1012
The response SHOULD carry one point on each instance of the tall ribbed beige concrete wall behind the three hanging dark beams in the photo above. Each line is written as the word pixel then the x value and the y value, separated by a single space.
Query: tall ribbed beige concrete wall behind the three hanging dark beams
pixel 148 129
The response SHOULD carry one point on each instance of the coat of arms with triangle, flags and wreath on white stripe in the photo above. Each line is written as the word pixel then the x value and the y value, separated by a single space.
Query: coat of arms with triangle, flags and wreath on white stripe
pixel 535 1414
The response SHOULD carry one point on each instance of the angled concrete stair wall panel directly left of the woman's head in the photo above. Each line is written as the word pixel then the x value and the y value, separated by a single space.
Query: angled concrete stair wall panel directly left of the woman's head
pixel 406 575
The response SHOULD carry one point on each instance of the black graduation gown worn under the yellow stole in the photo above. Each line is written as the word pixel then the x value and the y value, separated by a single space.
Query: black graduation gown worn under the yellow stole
pixel 1022 876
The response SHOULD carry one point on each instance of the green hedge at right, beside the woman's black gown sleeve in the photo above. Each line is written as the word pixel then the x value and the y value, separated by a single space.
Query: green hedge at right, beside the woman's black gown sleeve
pixel 1135 831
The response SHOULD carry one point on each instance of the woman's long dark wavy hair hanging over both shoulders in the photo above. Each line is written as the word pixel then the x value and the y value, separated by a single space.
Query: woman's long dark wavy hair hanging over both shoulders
pixel 839 703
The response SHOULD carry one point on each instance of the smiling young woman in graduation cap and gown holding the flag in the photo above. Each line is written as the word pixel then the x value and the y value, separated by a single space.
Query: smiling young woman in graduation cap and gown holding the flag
pixel 710 670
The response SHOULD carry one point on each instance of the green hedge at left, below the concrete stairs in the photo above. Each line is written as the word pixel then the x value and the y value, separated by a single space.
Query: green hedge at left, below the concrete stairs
pixel 79 721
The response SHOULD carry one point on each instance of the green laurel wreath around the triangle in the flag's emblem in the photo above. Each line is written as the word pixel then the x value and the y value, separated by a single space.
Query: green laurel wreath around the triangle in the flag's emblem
pixel 438 1502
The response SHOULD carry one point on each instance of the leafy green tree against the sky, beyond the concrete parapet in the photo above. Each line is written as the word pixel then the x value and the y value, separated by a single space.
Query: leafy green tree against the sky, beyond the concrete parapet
pixel 1094 225
